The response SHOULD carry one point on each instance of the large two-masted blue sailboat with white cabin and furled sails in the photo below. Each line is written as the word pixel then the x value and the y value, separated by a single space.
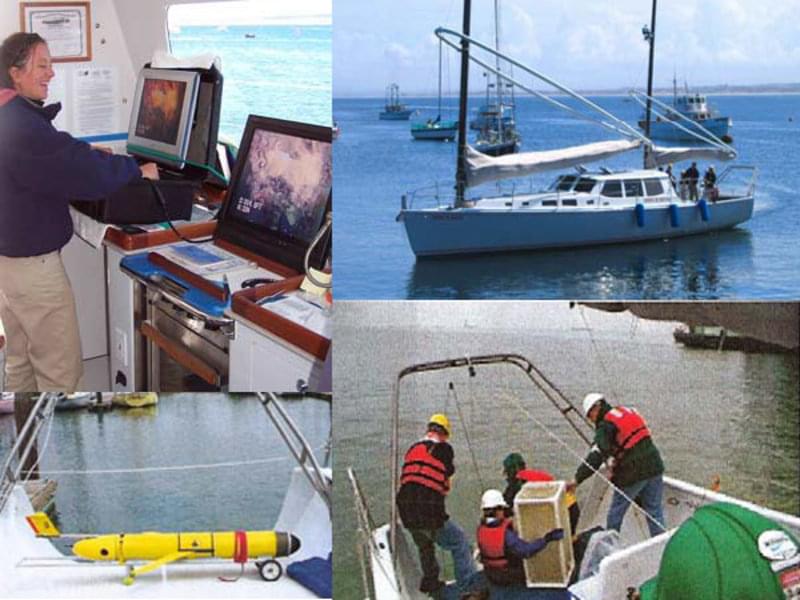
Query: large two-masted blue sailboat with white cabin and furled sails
pixel 579 209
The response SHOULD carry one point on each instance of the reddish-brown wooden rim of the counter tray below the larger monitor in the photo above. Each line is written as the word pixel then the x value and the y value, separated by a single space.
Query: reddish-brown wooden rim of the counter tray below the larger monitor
pixel 245 304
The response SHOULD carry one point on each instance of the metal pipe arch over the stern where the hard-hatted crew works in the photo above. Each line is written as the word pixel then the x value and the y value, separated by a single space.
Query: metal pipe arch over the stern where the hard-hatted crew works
pixel 556 397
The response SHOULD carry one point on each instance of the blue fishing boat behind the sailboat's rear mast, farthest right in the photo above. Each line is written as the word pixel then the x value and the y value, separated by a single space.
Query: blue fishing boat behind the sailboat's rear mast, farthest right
pixel 694 107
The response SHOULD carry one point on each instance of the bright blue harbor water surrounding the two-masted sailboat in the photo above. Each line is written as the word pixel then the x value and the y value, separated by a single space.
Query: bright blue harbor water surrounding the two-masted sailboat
pixel 377 161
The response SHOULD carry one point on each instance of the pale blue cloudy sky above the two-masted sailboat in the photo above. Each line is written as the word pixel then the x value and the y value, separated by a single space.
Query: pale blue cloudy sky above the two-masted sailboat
pixel 587 44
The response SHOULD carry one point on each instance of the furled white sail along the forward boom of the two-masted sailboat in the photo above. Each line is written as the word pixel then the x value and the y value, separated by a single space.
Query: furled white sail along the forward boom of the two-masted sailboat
pixel 482 168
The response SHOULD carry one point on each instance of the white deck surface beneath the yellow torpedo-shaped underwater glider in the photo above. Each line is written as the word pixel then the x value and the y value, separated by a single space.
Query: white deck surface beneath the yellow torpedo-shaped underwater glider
pixel 52 575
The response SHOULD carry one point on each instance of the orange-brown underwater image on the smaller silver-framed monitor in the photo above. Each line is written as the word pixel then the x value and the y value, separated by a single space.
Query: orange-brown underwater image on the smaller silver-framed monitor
pixel 159 115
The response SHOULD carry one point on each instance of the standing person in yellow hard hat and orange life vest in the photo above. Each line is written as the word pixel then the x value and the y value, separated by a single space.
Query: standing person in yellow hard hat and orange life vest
pixel 424 485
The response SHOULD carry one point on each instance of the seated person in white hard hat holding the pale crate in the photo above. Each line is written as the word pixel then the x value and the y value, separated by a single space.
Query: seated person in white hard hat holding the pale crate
pixel 501 549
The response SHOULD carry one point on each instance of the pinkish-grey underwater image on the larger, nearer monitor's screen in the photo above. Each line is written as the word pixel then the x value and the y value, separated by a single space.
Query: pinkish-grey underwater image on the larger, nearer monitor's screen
pixel 284 184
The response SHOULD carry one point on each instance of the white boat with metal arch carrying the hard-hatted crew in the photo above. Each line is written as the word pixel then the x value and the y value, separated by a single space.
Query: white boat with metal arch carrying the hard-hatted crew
pixel 608 571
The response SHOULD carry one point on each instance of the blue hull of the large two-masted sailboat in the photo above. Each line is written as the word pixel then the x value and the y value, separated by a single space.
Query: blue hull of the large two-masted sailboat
pixel 434 232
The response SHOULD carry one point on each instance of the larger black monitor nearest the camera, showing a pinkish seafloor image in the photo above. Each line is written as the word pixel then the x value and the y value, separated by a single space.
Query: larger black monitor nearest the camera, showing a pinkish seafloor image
pixel 280 191
